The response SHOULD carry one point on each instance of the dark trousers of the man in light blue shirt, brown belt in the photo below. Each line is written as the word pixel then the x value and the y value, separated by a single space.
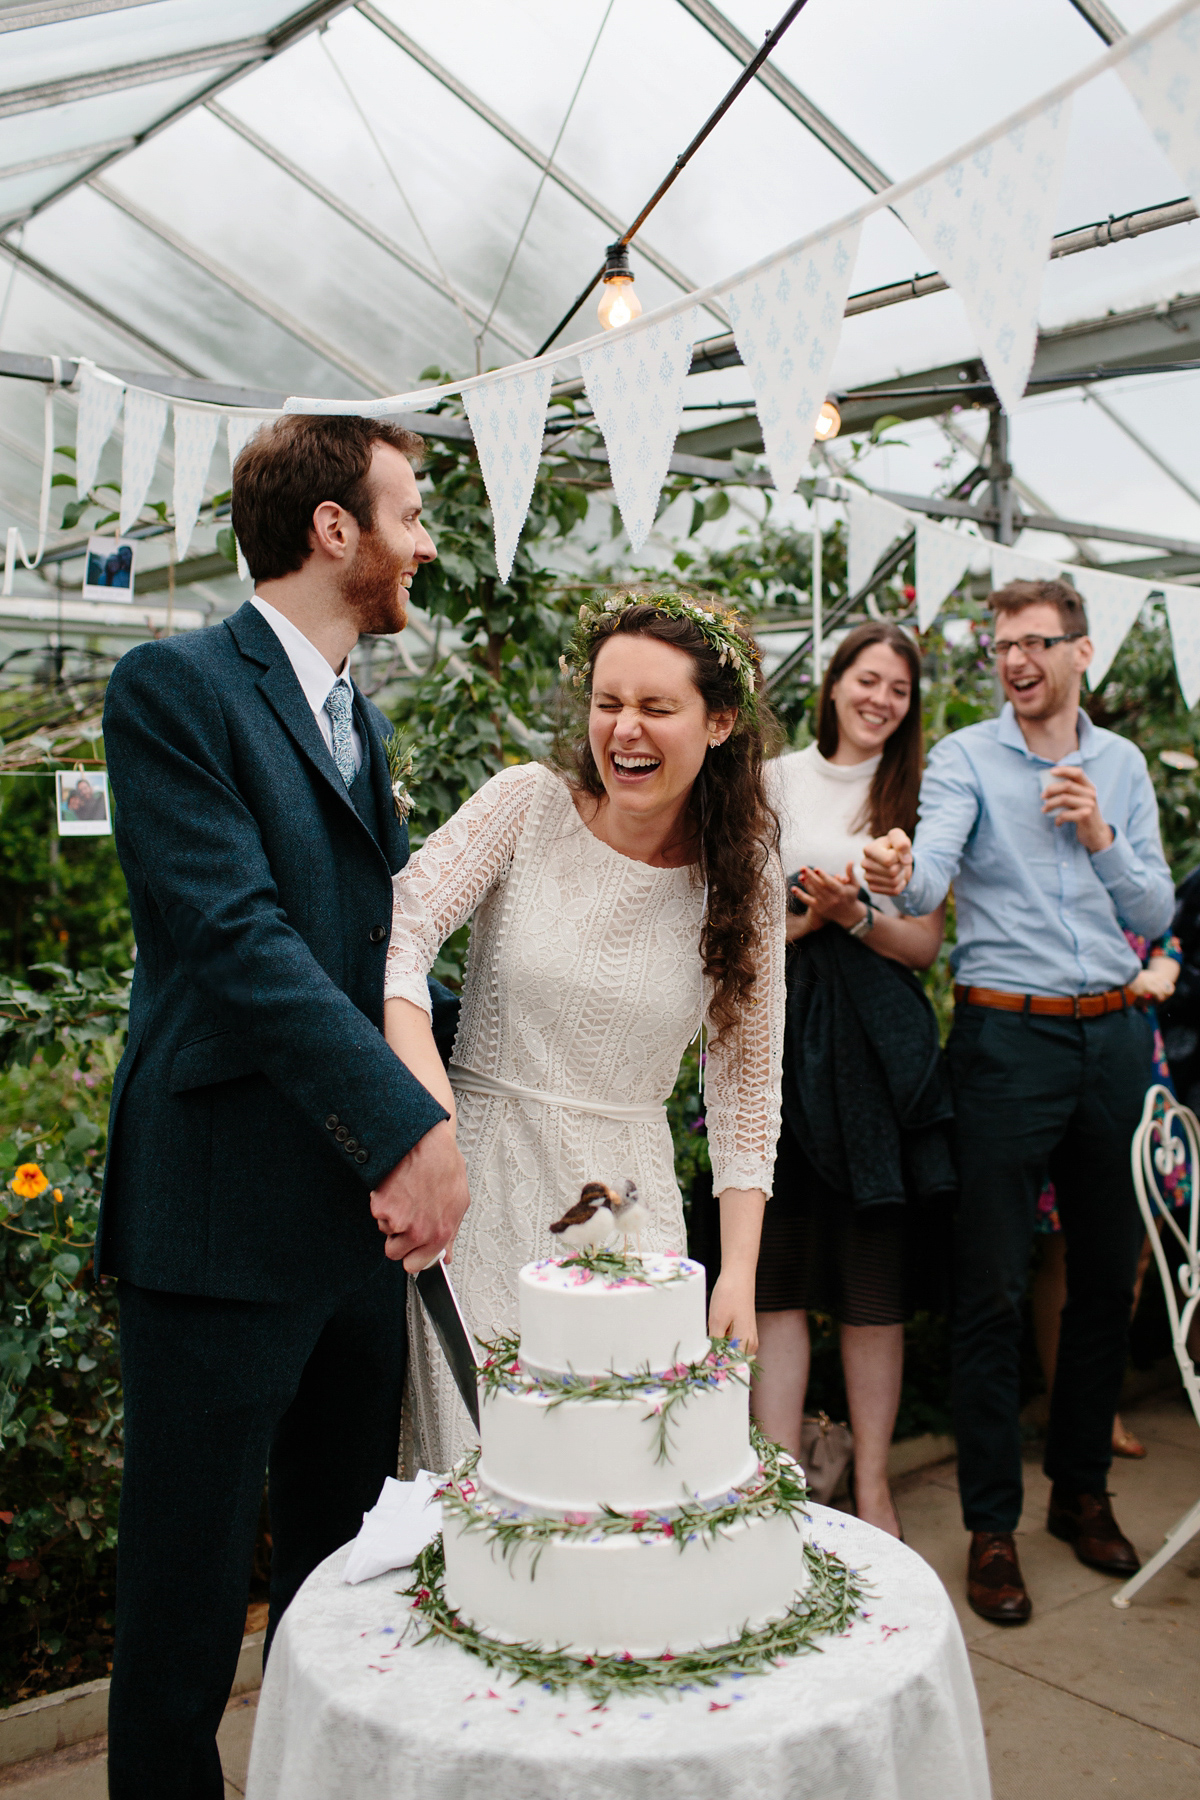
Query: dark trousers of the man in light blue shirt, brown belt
pixel 1041 1095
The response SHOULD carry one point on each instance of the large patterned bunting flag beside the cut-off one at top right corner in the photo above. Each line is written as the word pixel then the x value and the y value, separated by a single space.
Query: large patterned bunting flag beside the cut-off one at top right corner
pixel 987 226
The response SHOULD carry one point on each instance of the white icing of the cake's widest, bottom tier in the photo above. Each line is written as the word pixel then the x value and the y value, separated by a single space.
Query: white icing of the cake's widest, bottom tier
pixel 640 1594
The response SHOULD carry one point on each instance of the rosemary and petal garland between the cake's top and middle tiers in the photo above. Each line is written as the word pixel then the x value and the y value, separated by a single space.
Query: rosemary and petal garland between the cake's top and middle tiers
pixel 663 1392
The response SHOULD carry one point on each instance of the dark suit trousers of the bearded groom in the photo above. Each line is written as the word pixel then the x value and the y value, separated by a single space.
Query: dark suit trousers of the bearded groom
pixel 220 1394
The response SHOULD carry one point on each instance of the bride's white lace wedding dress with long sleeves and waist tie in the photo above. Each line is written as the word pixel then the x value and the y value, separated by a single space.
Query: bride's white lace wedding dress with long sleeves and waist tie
pixel 584 989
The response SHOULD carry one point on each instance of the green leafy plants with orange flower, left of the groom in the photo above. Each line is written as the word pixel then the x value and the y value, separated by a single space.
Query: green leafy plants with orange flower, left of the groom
pixel 60 1378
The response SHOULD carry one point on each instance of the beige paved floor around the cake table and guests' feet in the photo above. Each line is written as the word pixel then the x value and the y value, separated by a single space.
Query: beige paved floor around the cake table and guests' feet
pixel 1082 1702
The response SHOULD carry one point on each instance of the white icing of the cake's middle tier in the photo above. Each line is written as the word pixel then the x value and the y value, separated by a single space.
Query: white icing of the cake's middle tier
pixel 584 1455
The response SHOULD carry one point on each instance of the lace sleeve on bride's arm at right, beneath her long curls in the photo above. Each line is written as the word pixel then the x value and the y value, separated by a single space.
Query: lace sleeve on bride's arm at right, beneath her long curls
pixel 744 1077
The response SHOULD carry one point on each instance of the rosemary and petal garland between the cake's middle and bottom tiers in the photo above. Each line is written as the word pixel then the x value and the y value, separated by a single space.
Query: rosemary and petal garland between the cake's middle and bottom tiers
pixel 778 1486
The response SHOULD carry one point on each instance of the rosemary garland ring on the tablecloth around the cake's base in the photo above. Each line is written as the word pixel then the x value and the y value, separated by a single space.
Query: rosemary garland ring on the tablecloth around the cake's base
pixel 827 1608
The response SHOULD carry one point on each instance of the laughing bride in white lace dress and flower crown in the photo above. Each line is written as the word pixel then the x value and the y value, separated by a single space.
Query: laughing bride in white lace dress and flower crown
pixel 618 903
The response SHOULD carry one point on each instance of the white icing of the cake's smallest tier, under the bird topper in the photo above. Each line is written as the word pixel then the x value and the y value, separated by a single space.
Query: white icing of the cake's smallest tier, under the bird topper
pixel 589 1324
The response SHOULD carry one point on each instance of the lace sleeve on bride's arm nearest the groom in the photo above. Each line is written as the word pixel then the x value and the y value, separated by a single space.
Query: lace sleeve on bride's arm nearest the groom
pixel 445 881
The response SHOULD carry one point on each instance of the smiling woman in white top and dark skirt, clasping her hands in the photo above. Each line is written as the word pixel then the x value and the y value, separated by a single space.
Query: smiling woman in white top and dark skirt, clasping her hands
pixel 864 1099
